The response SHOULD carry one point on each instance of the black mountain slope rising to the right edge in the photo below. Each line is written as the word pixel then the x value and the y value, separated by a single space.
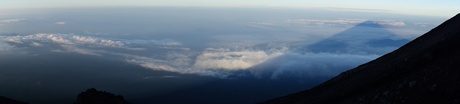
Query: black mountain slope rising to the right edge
pixel 426 70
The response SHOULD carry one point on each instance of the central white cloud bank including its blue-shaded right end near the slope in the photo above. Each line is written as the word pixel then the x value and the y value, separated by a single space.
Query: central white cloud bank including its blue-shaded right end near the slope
pixel 264 64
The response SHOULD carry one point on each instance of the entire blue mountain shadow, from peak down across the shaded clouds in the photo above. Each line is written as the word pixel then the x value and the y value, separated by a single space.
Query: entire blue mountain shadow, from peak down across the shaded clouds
pixel 325 59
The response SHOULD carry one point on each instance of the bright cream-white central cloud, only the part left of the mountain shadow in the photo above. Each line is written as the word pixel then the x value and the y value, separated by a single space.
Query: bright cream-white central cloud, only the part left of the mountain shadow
pixel 212 62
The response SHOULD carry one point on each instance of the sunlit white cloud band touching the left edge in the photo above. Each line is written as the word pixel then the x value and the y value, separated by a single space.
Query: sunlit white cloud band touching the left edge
pixel 66 42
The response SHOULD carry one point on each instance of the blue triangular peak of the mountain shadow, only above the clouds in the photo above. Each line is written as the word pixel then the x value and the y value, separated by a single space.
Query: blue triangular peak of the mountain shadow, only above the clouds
pixel 364 38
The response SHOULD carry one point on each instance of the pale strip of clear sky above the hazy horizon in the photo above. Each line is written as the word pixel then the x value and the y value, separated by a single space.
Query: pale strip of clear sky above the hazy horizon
pixel 445 8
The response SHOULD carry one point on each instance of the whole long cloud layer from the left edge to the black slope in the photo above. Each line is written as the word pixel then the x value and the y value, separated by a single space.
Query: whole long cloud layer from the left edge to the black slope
pixel 268 62
